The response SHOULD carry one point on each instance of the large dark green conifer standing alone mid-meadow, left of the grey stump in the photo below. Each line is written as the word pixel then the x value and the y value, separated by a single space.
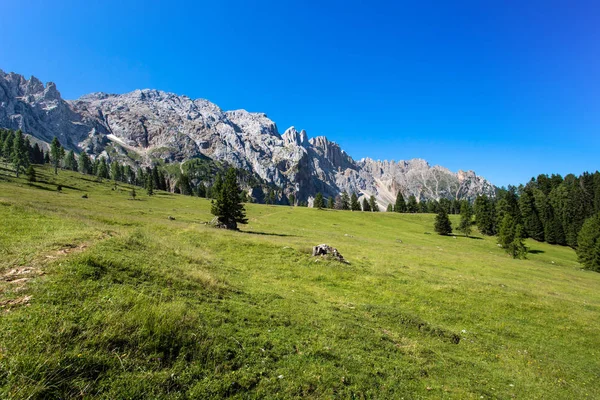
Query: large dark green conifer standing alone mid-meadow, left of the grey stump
pixel 227 206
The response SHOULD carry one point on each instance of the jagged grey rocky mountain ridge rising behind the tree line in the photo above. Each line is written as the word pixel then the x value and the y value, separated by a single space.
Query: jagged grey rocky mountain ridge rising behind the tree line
pixel 145 125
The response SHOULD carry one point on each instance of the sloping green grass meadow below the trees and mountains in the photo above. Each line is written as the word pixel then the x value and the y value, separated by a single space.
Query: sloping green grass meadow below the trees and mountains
pixel 106 297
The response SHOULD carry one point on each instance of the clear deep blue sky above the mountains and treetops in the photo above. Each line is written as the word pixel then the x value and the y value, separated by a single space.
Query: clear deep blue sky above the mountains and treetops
pixel 509 89
